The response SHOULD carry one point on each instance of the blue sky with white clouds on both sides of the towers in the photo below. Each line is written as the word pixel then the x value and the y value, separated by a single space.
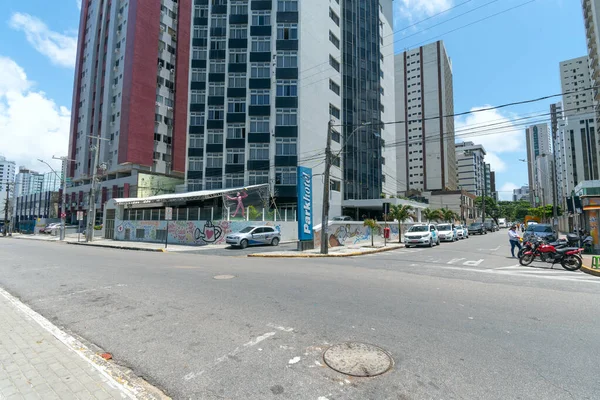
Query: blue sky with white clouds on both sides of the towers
pixel 509 57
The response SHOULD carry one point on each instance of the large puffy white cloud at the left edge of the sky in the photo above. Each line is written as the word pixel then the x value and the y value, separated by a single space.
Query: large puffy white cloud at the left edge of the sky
pixel 32 126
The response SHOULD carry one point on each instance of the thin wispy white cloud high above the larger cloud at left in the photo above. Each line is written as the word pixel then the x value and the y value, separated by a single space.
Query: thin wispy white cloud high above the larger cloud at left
pixel 60 48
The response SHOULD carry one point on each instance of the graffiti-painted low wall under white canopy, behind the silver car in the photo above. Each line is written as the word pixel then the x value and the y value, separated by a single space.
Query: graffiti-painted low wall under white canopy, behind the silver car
pixel 196 233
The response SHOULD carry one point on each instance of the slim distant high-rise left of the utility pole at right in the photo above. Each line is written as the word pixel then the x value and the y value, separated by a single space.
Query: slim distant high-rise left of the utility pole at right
pixel 538 147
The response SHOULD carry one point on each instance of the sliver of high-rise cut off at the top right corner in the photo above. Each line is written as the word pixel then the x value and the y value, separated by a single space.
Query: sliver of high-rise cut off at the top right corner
pixel 591 15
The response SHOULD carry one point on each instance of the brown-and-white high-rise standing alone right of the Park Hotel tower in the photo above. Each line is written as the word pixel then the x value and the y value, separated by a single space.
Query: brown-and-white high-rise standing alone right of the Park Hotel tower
pixel 424 96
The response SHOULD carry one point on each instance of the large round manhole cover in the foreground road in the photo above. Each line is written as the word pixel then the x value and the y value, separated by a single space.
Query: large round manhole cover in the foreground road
pixel 358 359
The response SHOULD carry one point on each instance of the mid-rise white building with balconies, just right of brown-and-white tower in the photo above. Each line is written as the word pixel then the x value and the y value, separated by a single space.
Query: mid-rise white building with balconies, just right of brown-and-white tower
pixel 471 168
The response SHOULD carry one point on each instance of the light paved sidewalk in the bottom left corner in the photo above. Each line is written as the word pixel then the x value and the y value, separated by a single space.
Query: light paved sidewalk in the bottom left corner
pixel 34 364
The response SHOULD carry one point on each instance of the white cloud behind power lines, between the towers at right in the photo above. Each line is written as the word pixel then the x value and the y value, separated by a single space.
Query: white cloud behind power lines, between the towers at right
pixel 494 131
